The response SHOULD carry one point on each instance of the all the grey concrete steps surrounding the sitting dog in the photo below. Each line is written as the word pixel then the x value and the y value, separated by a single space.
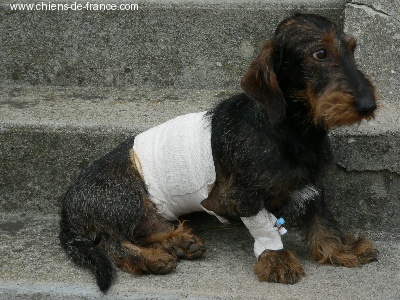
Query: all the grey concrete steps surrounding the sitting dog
pixel 124 72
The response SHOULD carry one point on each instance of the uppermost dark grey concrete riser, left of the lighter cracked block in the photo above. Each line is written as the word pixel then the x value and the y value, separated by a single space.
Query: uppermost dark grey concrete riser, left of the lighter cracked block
pixel 184 44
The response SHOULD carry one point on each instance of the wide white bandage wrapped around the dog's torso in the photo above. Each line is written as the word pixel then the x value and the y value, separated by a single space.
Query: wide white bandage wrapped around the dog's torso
pixel 177 164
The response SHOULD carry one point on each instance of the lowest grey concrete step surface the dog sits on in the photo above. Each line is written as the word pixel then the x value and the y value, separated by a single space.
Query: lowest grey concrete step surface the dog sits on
pixel 33 266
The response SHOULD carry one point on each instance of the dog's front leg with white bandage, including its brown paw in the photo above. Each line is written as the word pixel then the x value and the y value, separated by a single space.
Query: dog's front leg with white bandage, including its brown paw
pixel 274 263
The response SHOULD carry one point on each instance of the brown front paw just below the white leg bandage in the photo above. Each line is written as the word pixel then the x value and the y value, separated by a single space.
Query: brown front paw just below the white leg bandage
pixel 279 266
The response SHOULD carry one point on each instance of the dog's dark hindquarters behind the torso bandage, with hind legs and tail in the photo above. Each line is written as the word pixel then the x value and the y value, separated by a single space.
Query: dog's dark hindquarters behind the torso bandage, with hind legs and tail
pixel 107 220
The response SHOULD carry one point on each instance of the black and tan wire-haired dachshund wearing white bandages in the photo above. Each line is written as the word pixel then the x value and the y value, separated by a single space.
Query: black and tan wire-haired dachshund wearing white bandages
pixel 259 154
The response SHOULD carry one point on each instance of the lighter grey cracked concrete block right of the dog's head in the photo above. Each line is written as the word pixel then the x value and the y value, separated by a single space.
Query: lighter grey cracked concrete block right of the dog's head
pixel 376 24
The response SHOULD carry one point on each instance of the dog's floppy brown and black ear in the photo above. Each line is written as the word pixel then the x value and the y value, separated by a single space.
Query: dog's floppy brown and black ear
pixel 261 84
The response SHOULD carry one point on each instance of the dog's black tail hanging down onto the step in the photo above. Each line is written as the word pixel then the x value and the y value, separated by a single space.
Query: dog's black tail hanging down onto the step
pixel 86 252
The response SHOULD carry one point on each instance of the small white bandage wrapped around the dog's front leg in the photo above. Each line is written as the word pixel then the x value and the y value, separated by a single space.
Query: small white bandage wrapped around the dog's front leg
pixel 262 228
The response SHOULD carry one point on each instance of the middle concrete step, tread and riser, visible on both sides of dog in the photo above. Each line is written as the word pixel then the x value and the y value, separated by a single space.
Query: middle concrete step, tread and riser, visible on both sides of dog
pixel 48 134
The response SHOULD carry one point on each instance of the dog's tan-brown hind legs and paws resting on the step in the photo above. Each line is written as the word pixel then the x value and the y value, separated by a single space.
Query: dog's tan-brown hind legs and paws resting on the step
pixel 157 251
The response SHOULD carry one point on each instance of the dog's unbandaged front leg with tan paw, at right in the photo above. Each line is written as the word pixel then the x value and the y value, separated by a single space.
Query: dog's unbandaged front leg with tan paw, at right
pixel 329 245
